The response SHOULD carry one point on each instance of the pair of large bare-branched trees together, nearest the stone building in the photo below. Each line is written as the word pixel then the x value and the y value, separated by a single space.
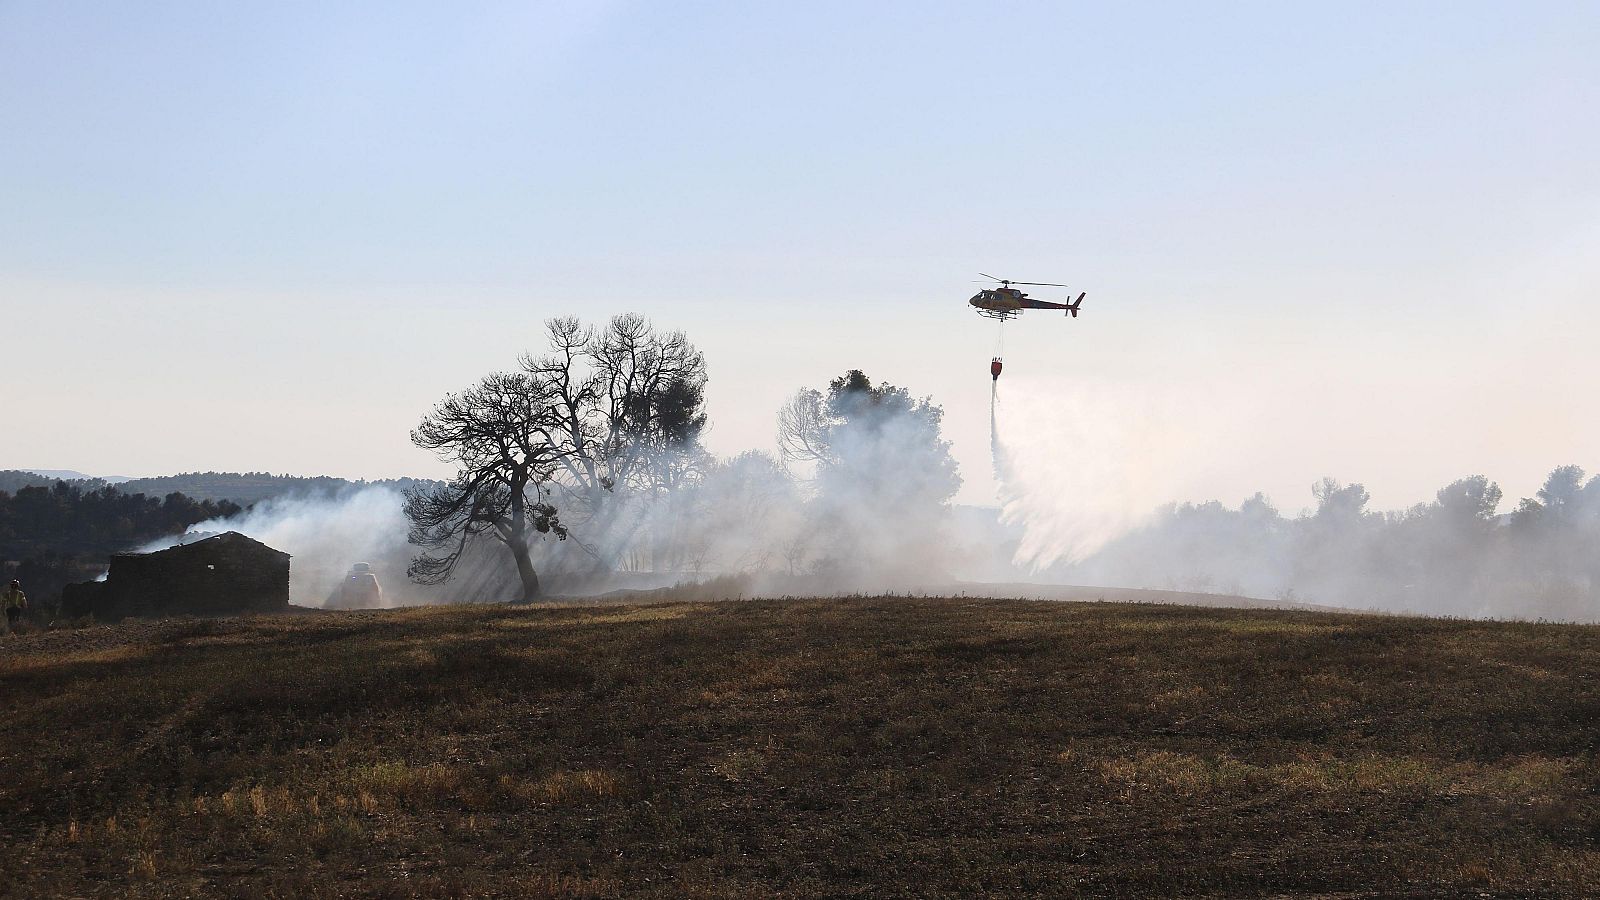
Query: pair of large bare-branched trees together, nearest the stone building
pixel 606 427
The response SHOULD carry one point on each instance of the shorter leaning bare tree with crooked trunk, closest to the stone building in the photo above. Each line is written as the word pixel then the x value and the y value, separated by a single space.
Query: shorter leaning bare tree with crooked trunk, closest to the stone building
pixel 500 438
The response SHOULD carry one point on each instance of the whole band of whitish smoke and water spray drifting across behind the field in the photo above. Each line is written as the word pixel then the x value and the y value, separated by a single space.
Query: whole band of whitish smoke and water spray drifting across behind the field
pixel 1087 475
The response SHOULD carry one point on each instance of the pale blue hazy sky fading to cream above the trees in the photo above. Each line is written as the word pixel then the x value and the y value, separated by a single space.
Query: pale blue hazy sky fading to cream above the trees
pixel 1350 239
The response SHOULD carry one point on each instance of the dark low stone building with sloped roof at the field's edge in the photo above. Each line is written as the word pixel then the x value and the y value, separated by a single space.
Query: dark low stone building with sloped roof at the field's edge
pixel 222 576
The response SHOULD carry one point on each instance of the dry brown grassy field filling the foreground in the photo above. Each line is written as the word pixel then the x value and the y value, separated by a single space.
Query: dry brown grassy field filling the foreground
pixel 858 747
